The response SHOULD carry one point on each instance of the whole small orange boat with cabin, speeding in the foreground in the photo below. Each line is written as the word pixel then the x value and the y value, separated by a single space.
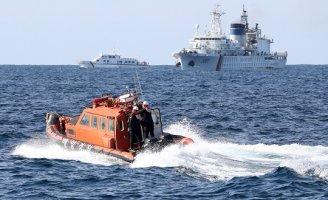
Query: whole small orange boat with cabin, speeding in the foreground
pixel 103 127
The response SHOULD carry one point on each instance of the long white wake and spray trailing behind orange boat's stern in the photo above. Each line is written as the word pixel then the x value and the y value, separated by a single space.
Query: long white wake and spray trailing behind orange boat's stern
pixel 223 160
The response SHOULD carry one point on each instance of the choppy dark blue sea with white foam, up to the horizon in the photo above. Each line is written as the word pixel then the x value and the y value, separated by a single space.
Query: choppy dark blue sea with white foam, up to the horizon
pixel 259 134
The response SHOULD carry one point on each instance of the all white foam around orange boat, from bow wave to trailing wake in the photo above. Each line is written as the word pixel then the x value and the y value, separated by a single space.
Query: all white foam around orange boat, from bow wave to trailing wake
pixel 216 160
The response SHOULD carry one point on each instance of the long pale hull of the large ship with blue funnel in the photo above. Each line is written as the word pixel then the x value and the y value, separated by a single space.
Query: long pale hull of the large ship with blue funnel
pixel 218 62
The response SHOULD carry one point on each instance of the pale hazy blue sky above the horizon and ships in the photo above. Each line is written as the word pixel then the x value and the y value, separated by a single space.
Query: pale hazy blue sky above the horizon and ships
pixel 66 31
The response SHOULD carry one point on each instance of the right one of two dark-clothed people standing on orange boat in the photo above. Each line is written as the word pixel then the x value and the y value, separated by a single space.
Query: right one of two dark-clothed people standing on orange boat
pixel 147 120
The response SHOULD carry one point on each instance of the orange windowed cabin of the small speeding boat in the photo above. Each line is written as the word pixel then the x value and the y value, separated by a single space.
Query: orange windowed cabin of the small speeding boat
pixel 105 122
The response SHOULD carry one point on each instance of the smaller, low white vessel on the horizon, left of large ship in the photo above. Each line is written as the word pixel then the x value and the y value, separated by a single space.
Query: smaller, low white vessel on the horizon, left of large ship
pixel 112 60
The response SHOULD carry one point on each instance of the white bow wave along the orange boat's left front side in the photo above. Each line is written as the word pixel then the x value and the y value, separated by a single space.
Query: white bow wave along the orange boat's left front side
pixel 40 148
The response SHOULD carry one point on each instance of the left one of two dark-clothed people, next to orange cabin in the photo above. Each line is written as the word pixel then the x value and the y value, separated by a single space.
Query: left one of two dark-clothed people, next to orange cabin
pixel 134 128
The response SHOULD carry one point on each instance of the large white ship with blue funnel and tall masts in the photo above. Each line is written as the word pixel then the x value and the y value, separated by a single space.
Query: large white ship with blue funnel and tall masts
pixel 245 47
